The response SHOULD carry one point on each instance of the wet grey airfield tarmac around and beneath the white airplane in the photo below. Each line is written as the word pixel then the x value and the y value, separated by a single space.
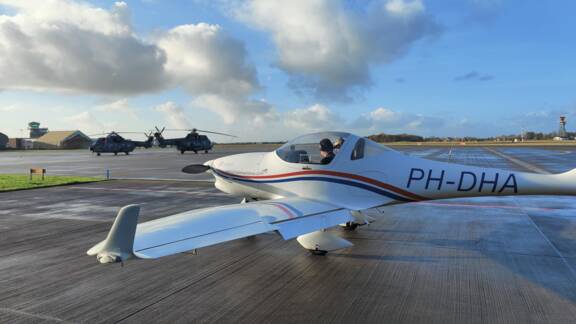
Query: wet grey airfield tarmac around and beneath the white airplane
pixel 481 260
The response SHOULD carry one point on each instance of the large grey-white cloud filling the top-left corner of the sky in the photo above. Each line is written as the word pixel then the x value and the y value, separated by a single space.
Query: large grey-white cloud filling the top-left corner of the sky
pixel 73 47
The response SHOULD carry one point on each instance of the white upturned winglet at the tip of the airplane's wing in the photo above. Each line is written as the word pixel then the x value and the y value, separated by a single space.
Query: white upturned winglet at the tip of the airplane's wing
pixel 118 245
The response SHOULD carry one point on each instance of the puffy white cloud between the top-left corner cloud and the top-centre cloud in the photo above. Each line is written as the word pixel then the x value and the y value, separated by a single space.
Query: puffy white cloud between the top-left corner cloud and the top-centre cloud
pixel 215 68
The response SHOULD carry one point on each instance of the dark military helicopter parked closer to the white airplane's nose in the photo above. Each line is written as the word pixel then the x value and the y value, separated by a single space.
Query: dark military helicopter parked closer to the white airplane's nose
pixel 192 142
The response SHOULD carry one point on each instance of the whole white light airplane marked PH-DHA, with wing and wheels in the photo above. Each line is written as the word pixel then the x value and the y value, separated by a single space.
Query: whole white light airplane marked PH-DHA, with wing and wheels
pixel 301 189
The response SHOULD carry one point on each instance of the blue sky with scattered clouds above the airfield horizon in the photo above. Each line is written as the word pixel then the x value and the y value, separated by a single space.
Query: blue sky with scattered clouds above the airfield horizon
pixel 269 70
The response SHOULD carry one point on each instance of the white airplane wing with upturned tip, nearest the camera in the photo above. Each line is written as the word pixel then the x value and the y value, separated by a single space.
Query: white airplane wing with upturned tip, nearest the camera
pixel 290 217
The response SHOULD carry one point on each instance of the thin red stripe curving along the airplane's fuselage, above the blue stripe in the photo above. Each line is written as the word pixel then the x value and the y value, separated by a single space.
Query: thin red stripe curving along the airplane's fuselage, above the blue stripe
pixel 336 174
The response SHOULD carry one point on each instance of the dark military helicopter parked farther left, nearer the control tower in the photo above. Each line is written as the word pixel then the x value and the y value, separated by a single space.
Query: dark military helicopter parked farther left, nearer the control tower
pixel 114 143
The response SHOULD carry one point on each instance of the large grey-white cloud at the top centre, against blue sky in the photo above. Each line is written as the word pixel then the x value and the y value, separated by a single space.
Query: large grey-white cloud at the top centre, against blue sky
pixel 328 49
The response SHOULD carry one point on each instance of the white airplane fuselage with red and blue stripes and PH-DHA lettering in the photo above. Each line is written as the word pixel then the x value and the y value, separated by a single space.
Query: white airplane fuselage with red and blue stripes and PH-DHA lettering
pixel 389 177
